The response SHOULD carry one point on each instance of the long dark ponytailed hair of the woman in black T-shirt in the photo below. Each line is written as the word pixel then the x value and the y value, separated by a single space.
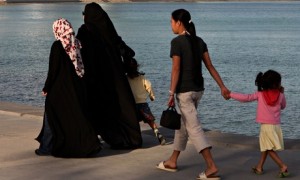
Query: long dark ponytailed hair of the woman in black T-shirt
pixel 184 17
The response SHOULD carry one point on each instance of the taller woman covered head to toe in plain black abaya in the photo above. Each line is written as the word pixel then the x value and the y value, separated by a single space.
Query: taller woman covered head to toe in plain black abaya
pixel 111 106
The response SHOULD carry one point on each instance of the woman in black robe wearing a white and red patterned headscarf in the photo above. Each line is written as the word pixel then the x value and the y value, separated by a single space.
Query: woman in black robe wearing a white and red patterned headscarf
pixel 66 132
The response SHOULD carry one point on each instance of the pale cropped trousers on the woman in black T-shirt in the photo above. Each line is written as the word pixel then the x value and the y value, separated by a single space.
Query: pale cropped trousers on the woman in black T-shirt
pixel 190 125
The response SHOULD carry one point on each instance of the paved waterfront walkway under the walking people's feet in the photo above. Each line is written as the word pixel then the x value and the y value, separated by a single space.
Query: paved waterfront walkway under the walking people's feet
pixel 234 155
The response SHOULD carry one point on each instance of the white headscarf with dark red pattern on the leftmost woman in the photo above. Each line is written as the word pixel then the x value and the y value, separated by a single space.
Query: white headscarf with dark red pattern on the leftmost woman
pixel 63 31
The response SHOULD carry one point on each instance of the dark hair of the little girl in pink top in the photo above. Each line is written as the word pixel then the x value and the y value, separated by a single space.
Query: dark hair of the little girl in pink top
pixel 268 80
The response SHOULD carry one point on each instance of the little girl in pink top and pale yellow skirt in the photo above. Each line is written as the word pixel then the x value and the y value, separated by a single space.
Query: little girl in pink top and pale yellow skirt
pixel 271 101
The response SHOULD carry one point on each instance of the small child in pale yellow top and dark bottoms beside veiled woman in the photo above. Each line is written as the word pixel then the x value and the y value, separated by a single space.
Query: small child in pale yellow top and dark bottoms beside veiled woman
pixel 141 89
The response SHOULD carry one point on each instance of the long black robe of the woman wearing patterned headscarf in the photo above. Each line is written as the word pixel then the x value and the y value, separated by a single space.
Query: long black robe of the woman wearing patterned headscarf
pixel 73 134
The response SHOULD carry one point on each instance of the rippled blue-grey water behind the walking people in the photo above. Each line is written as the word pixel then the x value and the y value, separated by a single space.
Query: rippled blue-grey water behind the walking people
pixel 243 39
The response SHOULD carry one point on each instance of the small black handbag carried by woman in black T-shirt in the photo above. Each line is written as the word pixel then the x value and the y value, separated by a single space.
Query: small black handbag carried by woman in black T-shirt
pixel 170 118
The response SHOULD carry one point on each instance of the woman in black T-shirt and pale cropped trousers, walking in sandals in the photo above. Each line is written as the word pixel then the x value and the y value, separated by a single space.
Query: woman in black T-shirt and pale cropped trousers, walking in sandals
pixel 187 53
